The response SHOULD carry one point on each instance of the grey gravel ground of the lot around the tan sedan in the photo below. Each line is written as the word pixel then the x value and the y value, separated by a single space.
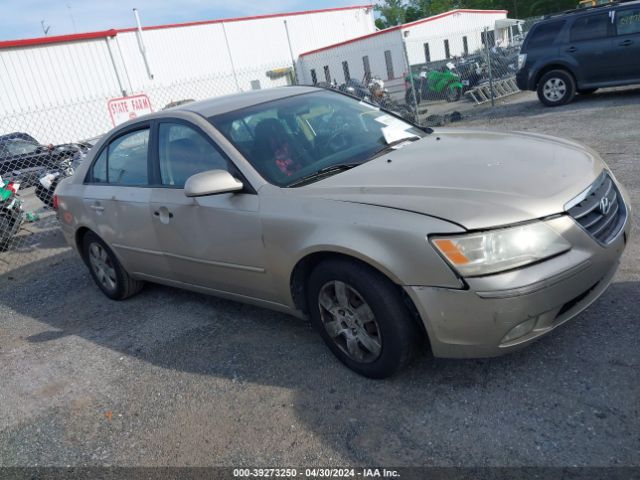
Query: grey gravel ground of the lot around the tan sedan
pixel 175 378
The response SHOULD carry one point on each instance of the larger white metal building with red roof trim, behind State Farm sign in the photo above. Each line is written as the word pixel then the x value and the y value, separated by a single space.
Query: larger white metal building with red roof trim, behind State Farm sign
pixel 57 88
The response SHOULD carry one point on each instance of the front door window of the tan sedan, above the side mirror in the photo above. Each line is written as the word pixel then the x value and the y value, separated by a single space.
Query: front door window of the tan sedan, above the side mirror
pixel 183 152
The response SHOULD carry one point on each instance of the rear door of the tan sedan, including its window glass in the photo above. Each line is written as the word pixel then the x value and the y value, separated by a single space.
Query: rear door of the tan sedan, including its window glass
pixel 116 200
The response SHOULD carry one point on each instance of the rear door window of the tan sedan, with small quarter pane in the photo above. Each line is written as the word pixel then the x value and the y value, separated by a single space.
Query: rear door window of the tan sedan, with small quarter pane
pixel 124 161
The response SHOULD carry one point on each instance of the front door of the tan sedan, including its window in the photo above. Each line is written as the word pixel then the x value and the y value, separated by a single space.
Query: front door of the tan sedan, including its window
pixel 213 241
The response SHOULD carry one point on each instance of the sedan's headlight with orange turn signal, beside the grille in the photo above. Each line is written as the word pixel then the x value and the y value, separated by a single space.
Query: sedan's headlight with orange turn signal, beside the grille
pixel 498 250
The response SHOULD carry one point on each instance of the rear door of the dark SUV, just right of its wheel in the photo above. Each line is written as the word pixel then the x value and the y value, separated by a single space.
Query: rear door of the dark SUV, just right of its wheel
pixel 590 45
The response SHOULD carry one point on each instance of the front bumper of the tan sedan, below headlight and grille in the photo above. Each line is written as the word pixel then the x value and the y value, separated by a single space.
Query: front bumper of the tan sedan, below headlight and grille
pixel 474 322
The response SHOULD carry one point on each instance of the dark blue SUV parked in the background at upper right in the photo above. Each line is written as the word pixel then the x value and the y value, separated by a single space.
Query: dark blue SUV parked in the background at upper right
pixel 581 51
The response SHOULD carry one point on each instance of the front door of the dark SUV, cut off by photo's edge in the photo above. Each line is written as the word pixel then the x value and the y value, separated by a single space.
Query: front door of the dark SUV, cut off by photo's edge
pixel 626 43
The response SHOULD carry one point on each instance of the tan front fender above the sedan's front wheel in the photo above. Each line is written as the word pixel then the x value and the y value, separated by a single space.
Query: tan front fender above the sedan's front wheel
pixel 390 240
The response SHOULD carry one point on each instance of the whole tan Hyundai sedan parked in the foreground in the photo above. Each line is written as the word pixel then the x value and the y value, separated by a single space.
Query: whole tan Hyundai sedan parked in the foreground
pixel 384 234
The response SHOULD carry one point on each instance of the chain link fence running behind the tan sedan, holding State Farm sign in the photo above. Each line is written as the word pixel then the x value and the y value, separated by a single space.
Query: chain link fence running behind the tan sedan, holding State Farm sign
pixel 78 93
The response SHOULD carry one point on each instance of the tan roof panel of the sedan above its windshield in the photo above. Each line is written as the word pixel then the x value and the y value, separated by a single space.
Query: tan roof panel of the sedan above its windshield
pixel 237 101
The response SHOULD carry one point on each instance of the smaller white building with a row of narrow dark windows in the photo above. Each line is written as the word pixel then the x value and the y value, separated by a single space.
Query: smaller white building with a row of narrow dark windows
pixel 384 53
